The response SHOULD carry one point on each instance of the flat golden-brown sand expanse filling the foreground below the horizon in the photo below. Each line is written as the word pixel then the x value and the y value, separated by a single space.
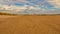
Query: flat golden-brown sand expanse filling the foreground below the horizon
pixel 29 24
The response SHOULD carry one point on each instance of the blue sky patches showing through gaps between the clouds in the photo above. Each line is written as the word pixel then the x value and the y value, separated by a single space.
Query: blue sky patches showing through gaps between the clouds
pixel 45 3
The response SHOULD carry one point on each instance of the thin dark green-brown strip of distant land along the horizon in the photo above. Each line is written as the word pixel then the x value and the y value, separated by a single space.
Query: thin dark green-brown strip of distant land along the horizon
pixel 30 14
